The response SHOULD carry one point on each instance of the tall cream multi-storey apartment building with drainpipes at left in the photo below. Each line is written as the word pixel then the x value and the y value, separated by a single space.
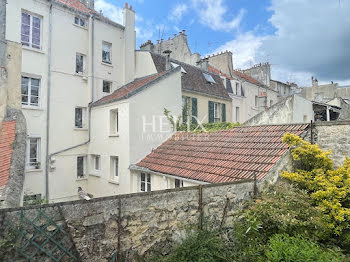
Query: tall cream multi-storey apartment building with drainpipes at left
pixel 71 57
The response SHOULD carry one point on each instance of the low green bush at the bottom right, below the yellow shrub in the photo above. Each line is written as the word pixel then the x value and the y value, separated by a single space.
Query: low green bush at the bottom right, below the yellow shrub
pixel 283 248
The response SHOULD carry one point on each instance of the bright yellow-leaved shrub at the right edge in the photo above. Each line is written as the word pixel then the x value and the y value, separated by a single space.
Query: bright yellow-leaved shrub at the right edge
pixel 328 187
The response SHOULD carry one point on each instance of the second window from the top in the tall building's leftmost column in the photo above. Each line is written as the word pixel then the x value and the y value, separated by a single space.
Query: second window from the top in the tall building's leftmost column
pixel 30 91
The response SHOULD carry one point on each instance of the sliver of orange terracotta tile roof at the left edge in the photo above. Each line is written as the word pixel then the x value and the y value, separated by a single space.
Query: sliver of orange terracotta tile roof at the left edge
pixel 7 137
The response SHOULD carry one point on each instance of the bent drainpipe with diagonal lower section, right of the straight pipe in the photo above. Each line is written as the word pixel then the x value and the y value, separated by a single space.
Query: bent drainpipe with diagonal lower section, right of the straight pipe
pixel 92 95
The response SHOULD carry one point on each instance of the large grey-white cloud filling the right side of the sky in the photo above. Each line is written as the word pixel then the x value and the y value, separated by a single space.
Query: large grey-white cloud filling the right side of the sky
pixel 311 38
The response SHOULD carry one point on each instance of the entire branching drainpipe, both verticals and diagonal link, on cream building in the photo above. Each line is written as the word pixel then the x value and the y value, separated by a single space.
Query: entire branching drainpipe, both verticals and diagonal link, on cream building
pixel 49 156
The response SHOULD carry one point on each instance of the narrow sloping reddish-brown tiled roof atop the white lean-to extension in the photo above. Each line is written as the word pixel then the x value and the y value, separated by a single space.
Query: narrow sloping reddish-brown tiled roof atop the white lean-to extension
pixel 129 89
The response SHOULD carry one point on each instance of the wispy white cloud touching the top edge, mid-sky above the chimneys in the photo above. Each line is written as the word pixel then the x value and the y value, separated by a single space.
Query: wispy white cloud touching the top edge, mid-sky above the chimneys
pixel 211 13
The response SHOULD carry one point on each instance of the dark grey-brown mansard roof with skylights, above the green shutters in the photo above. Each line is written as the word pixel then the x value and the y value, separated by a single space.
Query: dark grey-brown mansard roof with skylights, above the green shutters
pixel 193 80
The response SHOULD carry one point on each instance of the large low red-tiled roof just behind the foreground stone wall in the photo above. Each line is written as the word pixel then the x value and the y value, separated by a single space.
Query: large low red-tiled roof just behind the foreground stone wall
pixel 223 156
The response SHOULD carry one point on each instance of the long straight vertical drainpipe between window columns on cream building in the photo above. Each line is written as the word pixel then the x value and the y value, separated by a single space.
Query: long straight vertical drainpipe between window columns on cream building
pixel 48 107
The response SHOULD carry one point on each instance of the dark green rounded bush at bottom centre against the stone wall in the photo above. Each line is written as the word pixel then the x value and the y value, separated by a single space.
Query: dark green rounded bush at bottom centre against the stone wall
pixel 202 246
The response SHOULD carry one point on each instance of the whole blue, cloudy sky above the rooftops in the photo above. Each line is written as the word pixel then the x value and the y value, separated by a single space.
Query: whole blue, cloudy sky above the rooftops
pixel 299 38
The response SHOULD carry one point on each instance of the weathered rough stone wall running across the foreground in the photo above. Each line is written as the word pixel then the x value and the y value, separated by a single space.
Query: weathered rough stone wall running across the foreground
pixel 134 224
